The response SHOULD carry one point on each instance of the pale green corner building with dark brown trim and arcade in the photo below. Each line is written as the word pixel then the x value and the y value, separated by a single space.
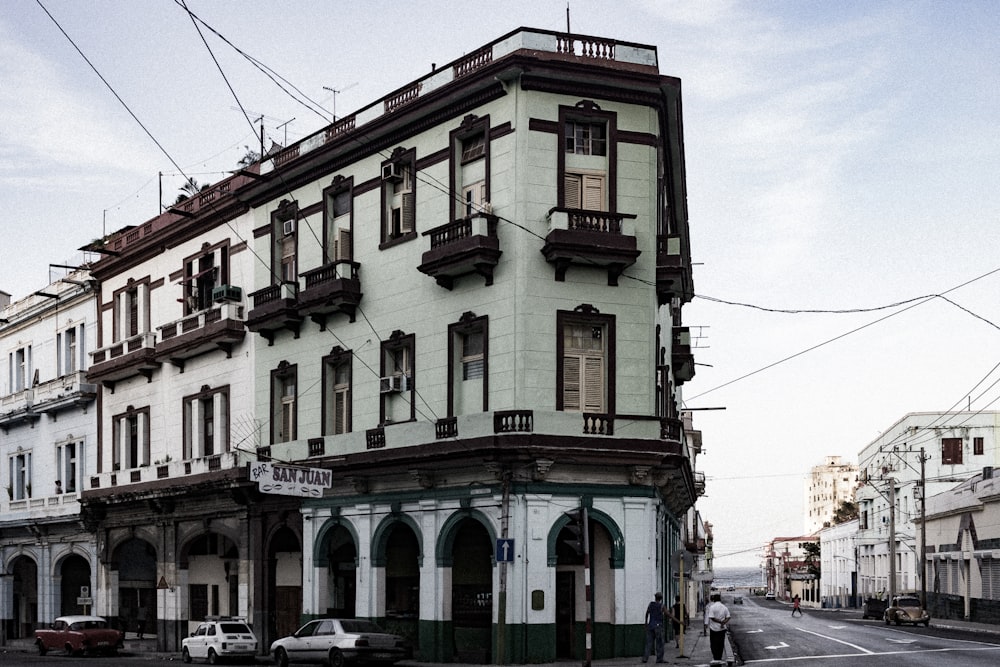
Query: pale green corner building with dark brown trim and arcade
pixel 468 308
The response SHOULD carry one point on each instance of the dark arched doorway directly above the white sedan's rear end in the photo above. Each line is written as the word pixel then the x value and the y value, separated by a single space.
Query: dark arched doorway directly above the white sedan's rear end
pixel 402 582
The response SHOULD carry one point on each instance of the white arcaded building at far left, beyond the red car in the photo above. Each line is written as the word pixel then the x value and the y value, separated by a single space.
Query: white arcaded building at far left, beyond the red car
pixel 48 446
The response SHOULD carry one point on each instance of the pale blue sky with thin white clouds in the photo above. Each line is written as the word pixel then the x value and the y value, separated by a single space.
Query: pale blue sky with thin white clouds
pixel 841 158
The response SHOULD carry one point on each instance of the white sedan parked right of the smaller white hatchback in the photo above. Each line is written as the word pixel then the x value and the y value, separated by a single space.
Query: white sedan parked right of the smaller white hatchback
pixel 337 642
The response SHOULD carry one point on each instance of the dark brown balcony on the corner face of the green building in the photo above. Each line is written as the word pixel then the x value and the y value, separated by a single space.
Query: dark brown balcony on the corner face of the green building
pixel 590 238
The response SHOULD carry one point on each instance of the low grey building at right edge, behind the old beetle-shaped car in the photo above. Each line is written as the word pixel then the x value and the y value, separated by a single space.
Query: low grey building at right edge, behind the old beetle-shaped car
pixel 963 549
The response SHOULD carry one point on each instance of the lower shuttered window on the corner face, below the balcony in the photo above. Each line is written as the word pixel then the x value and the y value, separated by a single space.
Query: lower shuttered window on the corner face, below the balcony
pixel 585 361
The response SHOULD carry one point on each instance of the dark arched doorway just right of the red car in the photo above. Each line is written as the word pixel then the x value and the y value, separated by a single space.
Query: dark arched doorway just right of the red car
pixel 136 559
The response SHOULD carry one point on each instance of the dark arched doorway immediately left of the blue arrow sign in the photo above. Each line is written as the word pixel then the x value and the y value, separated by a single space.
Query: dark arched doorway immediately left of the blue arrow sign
pixel 472 592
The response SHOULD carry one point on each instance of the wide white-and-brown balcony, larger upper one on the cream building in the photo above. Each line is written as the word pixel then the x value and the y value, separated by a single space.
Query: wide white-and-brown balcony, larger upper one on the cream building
pixel 218 328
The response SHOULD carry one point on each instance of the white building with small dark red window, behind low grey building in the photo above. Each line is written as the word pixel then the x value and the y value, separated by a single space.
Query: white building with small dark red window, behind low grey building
pixel 933 450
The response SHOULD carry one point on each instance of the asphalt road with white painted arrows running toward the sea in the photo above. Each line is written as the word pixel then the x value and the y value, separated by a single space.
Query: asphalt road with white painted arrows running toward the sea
pixel 765 632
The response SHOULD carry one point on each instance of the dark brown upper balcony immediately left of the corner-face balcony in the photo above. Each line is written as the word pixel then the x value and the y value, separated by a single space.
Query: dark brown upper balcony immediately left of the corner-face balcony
pixel 465 246
